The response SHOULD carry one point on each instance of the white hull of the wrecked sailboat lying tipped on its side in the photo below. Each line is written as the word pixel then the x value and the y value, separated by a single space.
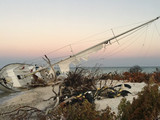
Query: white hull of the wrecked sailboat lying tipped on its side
pixel 15 76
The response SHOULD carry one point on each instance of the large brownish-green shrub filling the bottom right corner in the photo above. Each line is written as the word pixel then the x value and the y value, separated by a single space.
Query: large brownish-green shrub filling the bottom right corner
pixel 145 107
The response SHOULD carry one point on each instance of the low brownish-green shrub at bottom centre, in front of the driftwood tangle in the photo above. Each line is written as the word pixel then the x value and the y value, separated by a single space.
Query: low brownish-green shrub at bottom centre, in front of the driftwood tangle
pixel 85 111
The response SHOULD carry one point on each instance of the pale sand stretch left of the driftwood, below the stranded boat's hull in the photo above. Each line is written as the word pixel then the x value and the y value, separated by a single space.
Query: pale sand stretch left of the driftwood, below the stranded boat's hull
pixel 34 98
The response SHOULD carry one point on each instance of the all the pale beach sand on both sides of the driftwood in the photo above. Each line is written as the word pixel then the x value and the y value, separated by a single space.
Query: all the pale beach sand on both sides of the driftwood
pixel 35 98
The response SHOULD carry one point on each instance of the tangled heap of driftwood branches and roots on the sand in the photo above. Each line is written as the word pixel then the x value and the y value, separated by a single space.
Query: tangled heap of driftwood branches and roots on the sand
pixel 75 88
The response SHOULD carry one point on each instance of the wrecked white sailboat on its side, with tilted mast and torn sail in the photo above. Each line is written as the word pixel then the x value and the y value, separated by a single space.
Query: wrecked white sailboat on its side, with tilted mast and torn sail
pixel 13 76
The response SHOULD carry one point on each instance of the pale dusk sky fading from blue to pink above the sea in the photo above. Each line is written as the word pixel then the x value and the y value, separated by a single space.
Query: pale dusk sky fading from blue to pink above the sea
pixel 29 29
